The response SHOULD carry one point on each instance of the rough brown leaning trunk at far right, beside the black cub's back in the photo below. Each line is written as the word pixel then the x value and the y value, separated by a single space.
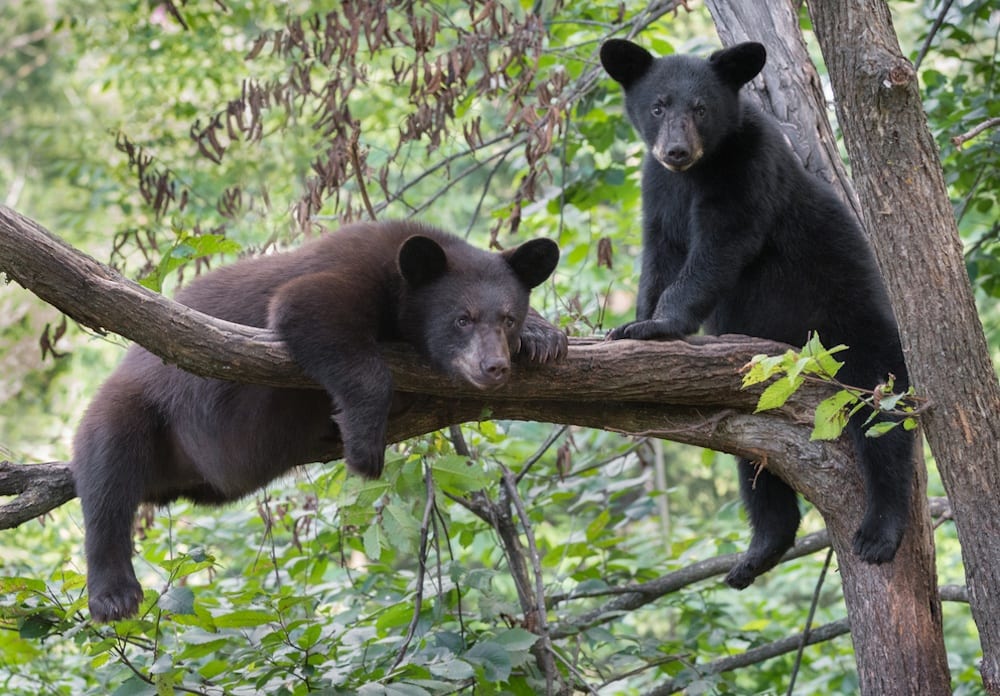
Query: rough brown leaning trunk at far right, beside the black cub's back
pixel 898 175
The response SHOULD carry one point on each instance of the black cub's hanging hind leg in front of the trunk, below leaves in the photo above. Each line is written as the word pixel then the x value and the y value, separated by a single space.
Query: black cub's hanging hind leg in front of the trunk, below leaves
pixel 887 466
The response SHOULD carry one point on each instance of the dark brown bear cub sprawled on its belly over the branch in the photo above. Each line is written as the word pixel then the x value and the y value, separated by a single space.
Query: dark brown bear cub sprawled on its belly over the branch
pixel 155 433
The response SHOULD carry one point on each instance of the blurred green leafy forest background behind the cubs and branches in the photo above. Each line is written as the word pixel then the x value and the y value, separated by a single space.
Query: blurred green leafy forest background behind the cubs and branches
pixel 166 139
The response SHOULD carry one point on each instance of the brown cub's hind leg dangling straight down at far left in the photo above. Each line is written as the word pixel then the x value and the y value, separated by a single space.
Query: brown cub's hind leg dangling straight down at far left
pixel 114 454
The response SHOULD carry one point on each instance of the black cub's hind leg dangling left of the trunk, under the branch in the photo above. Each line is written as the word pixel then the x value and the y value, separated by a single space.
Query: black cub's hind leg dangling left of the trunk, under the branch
pixel 773 509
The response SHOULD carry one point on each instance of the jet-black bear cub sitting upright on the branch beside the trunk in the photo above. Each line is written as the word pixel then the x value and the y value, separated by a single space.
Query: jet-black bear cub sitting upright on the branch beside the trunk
pixel 739 238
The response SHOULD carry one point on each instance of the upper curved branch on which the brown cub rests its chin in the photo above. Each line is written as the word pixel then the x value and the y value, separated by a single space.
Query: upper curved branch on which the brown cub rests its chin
pixel 691 373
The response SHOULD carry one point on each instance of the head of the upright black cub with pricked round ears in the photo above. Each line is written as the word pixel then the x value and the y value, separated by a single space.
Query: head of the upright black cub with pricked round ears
pixel 682 106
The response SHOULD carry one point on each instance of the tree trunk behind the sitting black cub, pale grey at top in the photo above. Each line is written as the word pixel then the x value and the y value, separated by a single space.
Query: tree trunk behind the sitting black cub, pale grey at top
pixel 895 611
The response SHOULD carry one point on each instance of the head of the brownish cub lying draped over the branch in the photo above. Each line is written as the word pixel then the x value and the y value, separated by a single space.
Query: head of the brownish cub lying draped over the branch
pixel 463 308
